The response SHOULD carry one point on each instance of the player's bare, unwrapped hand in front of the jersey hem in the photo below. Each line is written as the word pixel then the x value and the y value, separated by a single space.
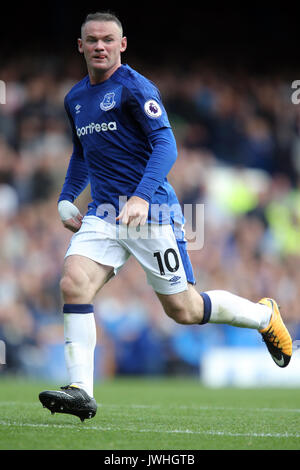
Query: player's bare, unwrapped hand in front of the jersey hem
pixel 134 212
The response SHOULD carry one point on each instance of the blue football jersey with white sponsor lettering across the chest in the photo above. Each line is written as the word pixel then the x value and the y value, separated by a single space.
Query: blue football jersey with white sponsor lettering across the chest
pixel 111 123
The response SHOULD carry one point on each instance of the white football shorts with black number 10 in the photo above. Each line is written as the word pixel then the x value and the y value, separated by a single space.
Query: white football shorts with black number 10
pixel 163 258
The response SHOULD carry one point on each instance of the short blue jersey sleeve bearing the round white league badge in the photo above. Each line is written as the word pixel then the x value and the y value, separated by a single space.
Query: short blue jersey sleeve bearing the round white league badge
pixel 146 107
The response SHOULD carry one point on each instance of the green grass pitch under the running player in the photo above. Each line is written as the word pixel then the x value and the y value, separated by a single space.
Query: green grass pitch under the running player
pixel 153 414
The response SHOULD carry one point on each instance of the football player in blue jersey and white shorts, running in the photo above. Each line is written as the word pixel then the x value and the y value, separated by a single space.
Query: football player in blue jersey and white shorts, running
pixel 123 145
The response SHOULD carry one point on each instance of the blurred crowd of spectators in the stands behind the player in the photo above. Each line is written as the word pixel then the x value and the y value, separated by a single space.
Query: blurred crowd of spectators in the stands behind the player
pixel 238 138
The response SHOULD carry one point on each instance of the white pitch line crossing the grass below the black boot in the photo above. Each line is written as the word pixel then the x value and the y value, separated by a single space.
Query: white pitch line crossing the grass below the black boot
pixel 159 431
